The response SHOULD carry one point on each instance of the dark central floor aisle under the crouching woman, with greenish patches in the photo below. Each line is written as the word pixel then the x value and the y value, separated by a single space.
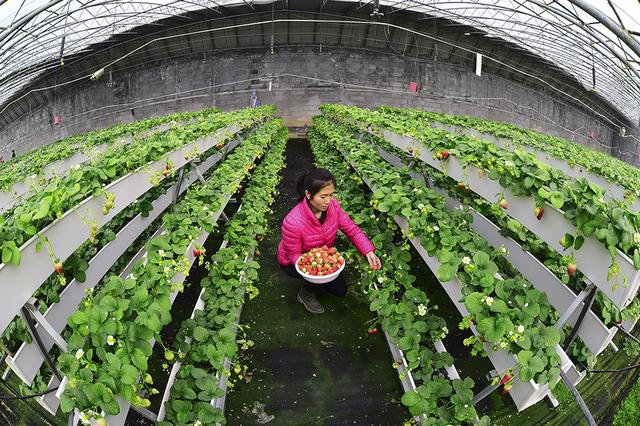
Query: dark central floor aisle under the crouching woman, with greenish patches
pixel 310 369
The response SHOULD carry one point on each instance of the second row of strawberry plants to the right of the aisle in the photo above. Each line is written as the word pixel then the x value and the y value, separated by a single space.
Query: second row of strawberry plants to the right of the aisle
pixel 508 313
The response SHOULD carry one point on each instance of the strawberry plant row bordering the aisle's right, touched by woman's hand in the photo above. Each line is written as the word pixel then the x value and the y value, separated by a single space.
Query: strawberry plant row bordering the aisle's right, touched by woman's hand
pixel 405 313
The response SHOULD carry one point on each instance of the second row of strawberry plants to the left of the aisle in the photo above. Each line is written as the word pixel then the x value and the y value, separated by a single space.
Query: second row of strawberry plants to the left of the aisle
pixel 111 334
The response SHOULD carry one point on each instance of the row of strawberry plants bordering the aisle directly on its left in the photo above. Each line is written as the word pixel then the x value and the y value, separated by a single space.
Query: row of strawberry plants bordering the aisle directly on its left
pixel 204 341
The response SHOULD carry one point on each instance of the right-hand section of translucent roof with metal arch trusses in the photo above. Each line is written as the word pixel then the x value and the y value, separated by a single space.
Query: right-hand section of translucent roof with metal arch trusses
pixel 569 36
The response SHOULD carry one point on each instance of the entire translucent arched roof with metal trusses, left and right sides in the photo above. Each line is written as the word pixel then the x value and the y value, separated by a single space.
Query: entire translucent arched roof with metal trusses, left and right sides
pixel 596 47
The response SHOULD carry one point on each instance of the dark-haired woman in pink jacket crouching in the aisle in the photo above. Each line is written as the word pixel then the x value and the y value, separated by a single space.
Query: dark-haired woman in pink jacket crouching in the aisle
pixel 314 222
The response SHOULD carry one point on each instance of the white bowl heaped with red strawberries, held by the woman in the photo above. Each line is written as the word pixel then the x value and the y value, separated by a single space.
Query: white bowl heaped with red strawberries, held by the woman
pixel 320 265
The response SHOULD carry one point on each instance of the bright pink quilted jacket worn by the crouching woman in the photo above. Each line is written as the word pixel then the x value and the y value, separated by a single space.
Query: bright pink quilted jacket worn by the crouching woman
pixel 302 231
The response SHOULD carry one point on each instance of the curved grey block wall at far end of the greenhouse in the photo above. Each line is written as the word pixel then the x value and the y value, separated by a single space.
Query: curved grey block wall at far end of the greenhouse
pixel 300 80
